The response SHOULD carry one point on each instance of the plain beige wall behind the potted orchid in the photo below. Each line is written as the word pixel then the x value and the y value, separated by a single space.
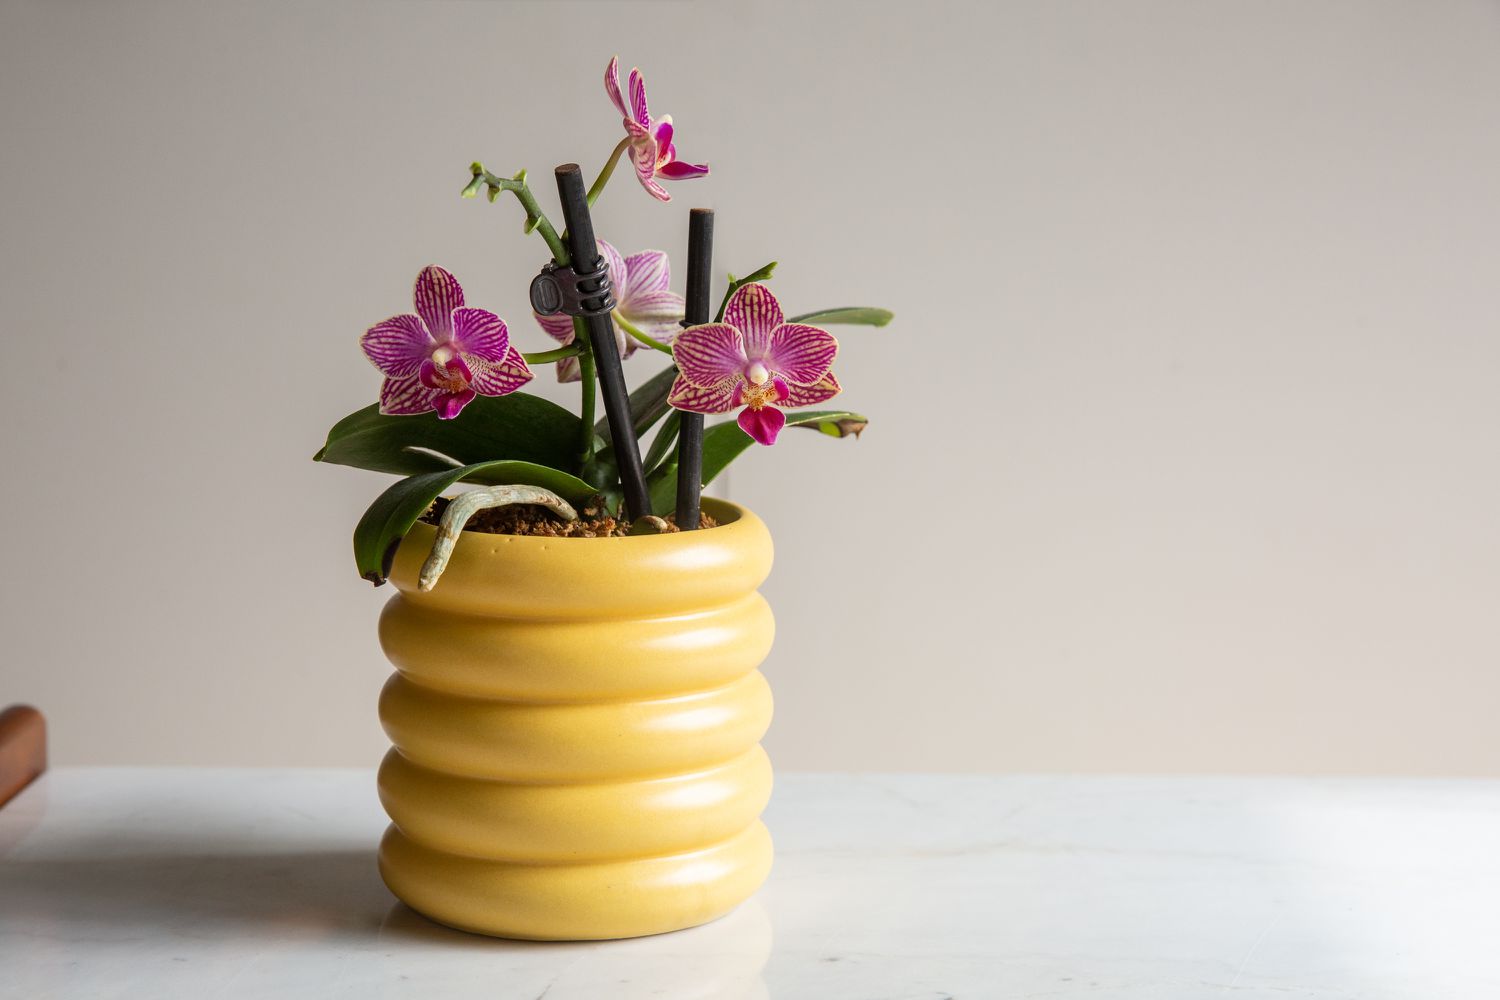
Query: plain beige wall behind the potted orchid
pixel 1184 445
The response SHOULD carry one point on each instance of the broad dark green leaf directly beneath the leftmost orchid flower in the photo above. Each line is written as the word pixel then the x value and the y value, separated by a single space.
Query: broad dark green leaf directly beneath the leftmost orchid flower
pixel 520 428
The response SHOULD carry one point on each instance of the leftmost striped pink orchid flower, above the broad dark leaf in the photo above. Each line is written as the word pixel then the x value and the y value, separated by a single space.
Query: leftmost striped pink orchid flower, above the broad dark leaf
pixel 445 356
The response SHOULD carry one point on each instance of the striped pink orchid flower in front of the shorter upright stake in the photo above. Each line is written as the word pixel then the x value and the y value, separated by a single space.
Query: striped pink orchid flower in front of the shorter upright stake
pixel 757 361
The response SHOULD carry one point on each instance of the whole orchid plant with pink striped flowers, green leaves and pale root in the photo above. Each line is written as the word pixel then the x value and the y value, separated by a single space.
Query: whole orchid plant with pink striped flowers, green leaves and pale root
pixel 451 410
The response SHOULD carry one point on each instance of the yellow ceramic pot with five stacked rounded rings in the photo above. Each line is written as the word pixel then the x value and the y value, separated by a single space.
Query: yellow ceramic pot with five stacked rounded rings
pixel 577 731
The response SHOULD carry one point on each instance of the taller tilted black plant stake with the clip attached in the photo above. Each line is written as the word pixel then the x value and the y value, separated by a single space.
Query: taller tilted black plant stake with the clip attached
pixel 595 280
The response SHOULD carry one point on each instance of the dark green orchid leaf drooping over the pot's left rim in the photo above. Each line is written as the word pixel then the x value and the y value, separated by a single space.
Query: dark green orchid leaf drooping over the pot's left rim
pixel 398 509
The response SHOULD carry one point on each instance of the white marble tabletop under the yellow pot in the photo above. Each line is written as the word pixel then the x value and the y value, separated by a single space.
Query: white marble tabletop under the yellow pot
pixel 194 884
